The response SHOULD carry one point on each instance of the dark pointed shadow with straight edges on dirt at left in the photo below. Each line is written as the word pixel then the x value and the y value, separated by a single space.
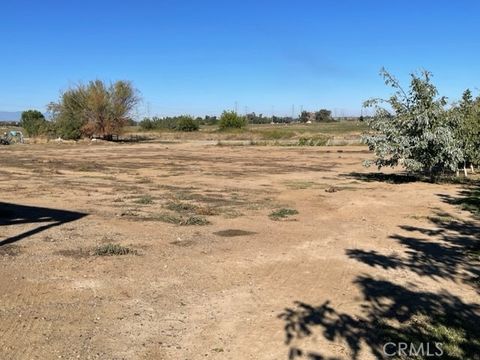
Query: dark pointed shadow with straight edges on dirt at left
pixel 14 214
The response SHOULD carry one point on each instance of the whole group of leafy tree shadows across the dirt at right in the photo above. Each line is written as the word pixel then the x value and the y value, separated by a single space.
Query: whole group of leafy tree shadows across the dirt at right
pixel 449 250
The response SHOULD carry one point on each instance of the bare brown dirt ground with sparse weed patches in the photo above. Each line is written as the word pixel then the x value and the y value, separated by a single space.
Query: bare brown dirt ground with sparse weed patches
pixel 243 286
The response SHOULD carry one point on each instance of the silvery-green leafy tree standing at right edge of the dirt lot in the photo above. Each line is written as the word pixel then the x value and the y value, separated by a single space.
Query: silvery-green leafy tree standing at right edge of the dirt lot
pixel 414 129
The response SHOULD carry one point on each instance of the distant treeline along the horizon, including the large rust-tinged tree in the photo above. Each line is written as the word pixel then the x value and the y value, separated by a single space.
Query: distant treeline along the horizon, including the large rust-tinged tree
pixel 99 109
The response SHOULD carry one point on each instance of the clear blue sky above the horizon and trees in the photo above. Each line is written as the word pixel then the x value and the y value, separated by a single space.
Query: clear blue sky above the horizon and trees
pixel 201 57
